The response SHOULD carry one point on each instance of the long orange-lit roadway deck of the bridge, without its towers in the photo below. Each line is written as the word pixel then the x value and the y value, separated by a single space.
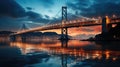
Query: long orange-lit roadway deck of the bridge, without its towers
pixel 69 25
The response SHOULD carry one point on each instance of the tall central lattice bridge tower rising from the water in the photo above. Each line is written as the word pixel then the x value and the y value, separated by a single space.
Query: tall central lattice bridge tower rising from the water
pixel 64 30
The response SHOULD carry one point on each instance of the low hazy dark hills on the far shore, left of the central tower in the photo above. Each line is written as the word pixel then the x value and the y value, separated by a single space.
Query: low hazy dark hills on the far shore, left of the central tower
pixel 32 35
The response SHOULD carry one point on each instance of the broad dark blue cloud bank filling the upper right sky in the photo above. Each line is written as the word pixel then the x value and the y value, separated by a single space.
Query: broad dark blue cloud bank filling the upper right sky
pixel 93 8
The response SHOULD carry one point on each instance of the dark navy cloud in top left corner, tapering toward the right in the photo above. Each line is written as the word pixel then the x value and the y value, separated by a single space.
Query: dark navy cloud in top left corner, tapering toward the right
pixel 12 9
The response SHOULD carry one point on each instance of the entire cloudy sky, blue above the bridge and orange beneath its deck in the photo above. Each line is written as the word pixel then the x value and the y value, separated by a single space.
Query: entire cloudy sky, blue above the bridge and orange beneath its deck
pixel 36 13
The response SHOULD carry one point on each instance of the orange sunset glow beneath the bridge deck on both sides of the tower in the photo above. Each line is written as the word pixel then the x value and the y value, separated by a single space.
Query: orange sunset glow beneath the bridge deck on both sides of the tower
pixel 78 31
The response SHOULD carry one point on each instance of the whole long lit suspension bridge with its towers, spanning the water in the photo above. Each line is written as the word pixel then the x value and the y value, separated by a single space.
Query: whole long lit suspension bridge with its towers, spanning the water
pixel 106 24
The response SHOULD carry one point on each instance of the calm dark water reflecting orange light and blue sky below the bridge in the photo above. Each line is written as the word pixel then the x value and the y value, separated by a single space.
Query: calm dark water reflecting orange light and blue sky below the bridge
pixel 75 53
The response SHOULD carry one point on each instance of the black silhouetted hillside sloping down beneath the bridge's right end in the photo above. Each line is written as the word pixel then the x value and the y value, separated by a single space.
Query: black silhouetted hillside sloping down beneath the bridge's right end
pixel 112 35
